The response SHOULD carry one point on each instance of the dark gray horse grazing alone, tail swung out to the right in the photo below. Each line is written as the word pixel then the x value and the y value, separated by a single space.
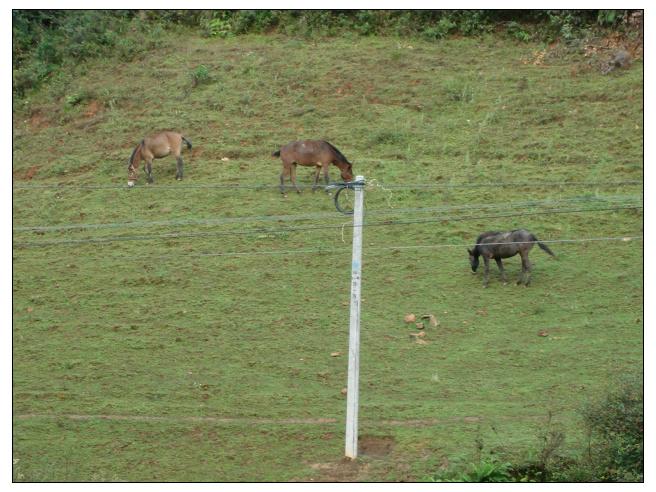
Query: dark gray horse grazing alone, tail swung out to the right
pixel 500 245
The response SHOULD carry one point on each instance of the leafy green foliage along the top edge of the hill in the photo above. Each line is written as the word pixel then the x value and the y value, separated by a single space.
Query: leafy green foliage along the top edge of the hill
pixel 45 41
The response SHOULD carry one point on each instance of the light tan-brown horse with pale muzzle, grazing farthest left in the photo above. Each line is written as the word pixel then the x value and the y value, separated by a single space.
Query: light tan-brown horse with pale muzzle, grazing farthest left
pixel 155 147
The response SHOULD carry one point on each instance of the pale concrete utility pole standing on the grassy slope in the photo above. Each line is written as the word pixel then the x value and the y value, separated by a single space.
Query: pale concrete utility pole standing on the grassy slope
pixel 354 325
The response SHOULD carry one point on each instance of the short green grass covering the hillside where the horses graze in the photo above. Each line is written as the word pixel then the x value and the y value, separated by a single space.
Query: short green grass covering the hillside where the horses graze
pixel 158 360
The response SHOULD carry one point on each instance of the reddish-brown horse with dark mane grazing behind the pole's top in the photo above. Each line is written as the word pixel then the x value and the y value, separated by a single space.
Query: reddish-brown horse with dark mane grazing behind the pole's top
pixel 317 153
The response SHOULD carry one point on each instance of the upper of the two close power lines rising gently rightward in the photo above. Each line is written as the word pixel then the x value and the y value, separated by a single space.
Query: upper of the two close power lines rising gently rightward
pixel 324 215
